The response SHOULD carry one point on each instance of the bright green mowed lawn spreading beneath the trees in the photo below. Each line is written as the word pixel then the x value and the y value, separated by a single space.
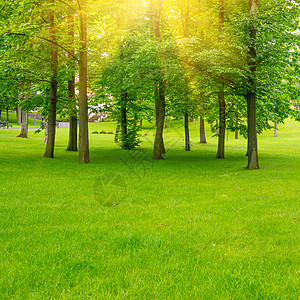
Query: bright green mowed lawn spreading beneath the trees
pixel 188 227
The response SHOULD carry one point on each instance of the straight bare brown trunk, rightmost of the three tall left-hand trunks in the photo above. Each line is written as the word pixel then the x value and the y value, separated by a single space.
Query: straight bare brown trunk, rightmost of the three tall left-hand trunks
pixel 84 156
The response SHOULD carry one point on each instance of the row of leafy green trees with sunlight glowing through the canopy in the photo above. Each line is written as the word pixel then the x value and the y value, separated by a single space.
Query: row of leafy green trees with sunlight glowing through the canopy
pixel 232 63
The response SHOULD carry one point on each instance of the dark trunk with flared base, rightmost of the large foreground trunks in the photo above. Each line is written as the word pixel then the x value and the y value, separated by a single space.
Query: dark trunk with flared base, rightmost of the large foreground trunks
pixel 251 96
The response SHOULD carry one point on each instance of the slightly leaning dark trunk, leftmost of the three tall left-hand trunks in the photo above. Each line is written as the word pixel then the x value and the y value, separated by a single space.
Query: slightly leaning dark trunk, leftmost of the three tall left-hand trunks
pixel 49 152
